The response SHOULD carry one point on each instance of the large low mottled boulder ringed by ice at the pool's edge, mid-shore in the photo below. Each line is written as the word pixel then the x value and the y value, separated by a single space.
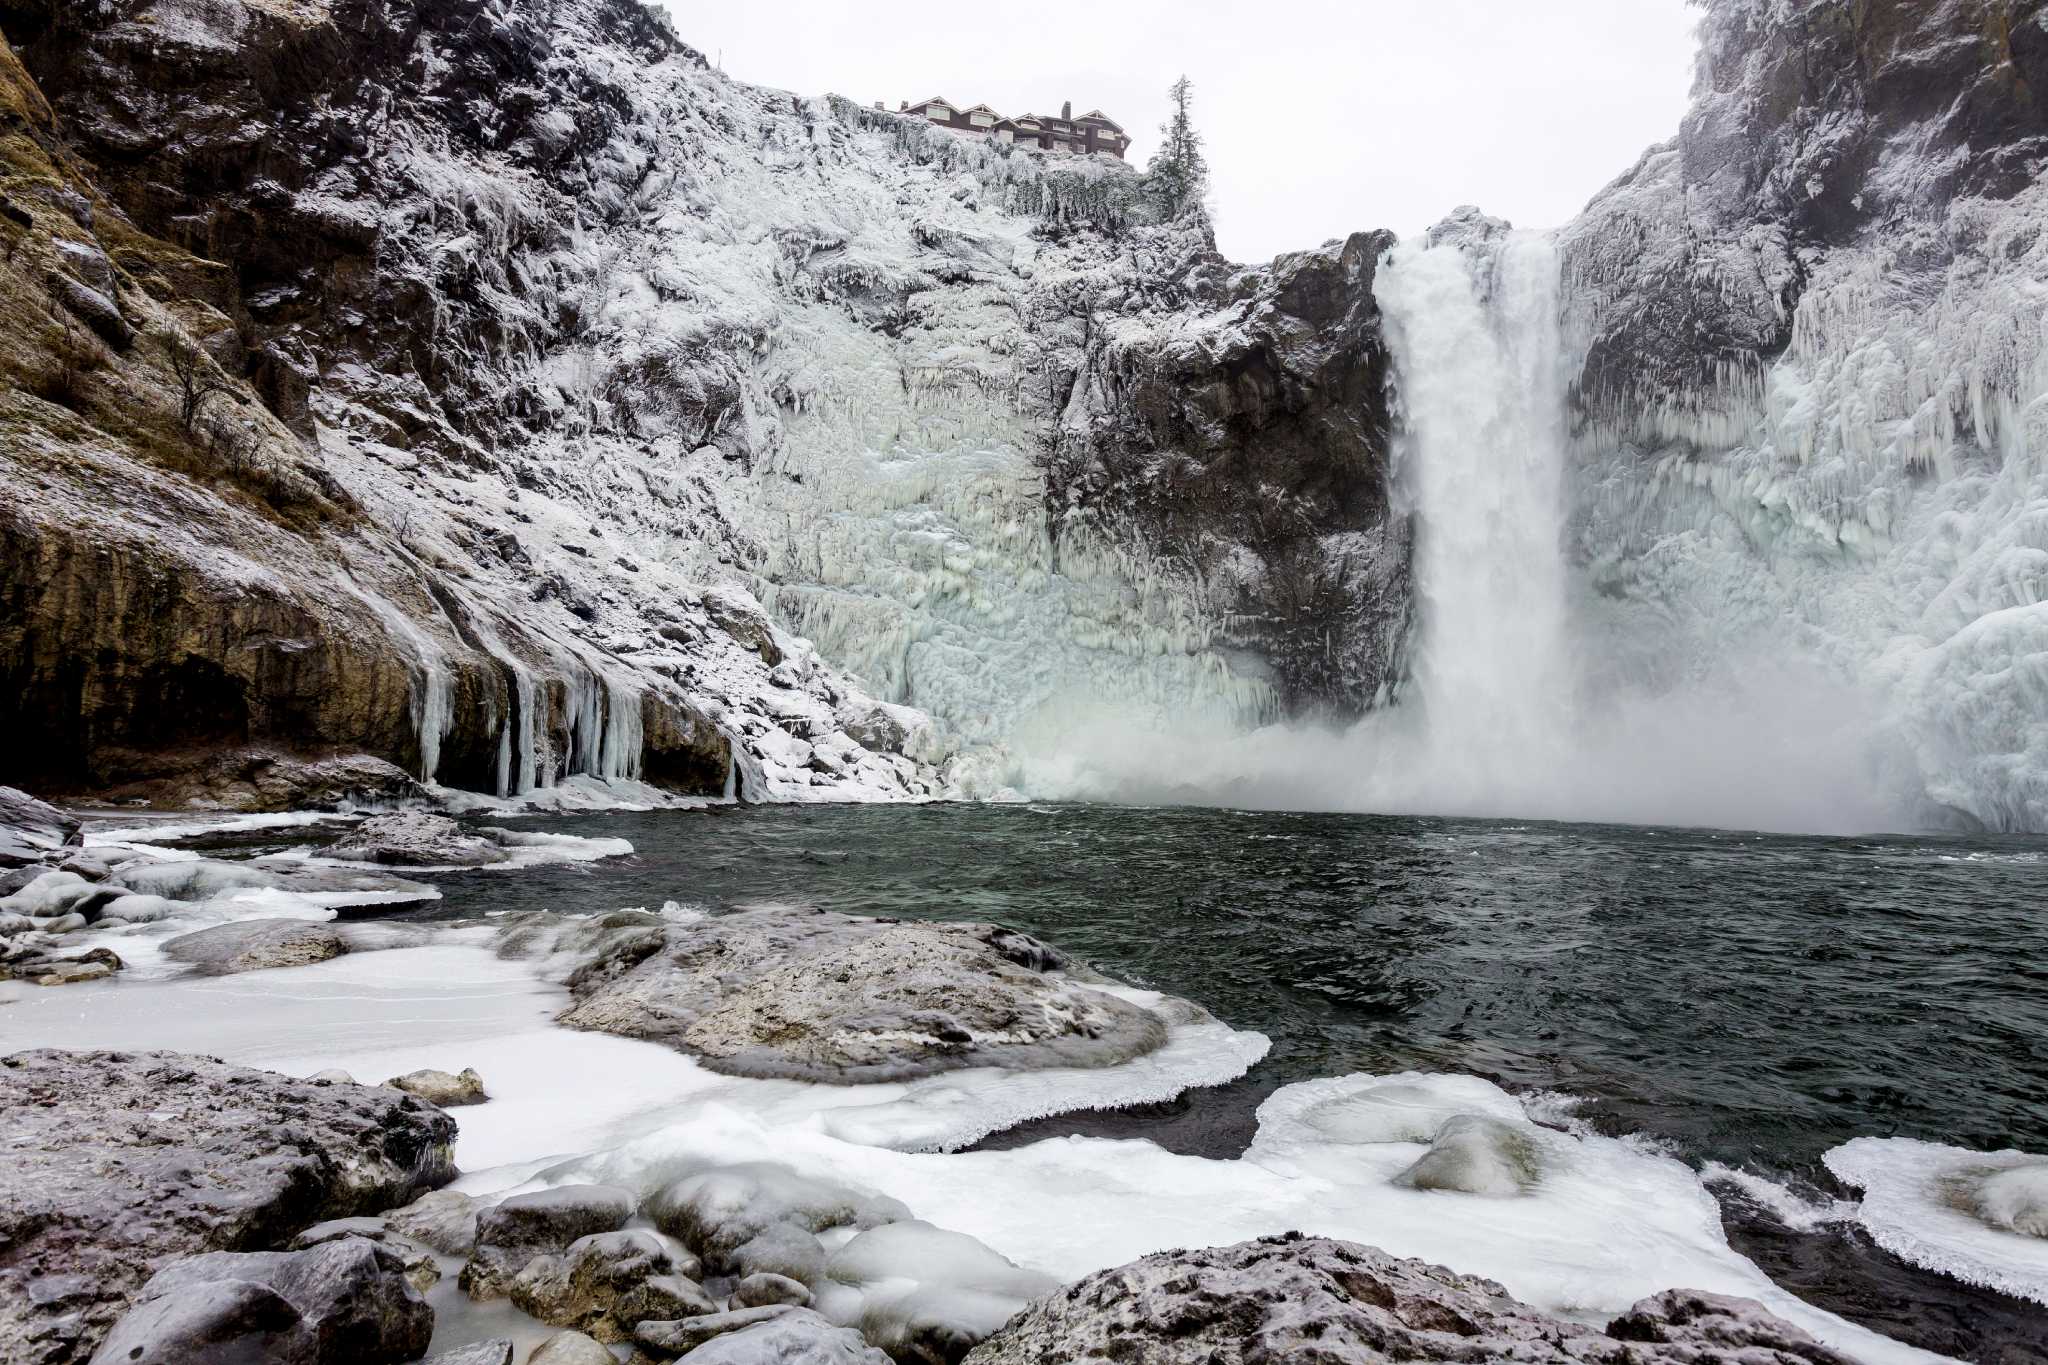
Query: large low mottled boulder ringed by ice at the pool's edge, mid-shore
pixel 835 998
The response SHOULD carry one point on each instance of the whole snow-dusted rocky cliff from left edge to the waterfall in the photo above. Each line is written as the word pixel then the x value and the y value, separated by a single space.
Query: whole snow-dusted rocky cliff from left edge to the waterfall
pixel 505 396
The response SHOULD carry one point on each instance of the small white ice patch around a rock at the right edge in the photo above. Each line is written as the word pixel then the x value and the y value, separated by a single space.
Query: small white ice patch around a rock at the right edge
pixel 1979 1217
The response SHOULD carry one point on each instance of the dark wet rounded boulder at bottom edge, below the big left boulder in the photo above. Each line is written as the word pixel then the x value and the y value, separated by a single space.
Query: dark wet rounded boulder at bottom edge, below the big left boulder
pixel 339 1305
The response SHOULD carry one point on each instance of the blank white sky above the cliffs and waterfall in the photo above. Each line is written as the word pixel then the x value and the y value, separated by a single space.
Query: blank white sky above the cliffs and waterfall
pixel 1322 116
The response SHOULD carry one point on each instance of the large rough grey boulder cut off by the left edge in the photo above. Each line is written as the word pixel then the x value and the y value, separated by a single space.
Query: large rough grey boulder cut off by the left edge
pixel 124 1161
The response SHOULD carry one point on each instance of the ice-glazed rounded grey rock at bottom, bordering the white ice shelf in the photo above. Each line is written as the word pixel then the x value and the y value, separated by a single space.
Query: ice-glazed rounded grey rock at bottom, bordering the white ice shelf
pixel 763 1219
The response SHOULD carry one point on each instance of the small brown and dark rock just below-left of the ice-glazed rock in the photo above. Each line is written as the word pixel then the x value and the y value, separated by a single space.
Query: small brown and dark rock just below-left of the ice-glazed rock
pixel 607 1282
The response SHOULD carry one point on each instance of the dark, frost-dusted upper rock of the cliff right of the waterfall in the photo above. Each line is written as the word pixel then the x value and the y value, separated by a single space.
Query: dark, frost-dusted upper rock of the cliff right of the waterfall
pixel 1818 126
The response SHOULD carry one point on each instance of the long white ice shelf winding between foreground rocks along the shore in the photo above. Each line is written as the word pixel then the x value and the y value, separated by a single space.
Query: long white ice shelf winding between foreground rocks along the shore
pixel 1611 1223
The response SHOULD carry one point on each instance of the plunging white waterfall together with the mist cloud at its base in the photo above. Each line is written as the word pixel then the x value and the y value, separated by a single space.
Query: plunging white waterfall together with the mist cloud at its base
pixel 1523 701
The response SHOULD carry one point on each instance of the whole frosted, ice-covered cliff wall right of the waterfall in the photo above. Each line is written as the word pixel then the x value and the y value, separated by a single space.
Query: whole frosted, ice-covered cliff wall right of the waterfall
pixel 1814 339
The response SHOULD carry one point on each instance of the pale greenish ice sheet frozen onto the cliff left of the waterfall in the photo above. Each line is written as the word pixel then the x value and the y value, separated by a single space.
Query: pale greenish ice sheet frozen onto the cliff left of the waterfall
pixel 912 545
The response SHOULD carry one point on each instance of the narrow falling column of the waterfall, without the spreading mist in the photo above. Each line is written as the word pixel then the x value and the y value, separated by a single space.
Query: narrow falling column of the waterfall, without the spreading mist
pixel 1482 464
